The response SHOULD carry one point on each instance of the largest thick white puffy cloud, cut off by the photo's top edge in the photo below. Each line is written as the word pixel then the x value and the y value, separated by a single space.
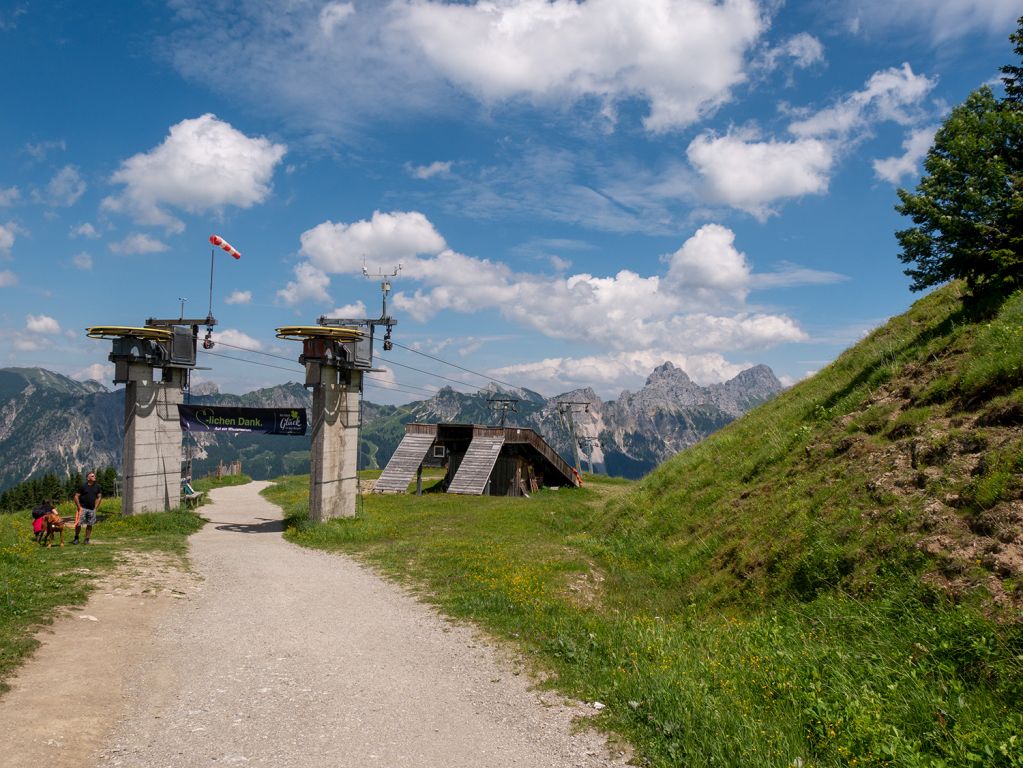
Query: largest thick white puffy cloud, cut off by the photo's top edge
pixel 684 58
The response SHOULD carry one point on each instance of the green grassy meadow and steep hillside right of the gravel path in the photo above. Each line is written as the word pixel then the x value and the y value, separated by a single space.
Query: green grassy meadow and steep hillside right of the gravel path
pixel 833 580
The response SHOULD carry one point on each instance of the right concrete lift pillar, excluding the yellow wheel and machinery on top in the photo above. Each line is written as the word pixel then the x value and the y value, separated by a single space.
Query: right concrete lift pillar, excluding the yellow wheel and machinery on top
pixel 335 449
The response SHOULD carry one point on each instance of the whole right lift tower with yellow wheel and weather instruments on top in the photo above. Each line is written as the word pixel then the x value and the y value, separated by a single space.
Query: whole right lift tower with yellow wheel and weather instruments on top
pixel 336 353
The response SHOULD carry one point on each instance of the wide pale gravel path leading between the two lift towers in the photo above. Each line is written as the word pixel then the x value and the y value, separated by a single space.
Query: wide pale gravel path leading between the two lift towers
pixel 277 656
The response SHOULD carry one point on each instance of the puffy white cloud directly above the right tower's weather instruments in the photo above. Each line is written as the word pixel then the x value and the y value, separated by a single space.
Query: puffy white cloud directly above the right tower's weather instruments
pixel 384 242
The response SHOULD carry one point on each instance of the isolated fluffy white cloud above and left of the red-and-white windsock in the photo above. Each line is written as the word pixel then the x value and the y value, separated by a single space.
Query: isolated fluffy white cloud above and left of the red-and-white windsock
pixel 204 165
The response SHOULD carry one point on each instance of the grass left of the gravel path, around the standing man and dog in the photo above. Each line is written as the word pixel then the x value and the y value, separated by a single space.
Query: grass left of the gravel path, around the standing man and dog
pixel 36 582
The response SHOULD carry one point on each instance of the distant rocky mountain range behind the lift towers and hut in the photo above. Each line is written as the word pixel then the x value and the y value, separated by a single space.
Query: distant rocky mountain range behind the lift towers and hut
pixel 52 423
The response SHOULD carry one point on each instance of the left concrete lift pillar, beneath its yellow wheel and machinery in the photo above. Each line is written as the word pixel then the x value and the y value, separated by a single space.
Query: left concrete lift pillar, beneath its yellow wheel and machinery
pixel 153 439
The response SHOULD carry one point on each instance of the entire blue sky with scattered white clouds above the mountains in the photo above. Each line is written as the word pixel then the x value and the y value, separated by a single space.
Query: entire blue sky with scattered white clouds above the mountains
pixel 576 192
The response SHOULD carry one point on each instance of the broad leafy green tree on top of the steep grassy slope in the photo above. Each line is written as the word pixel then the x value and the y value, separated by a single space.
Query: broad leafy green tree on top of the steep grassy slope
pixel 967 207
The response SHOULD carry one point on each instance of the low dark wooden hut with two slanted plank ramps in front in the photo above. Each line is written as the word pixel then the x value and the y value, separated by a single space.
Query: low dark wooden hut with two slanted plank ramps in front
pixel 480 461
